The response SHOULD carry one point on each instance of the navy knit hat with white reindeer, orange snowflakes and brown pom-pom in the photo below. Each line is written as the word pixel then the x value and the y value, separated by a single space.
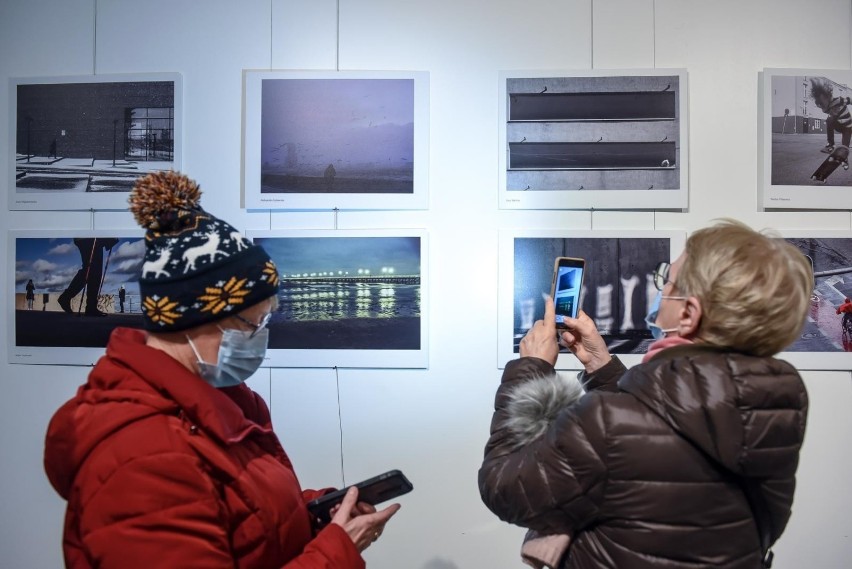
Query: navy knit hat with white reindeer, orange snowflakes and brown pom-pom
pixel 197 268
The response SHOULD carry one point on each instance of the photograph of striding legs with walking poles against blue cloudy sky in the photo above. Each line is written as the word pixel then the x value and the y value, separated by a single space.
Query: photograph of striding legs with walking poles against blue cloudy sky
pixel 70 290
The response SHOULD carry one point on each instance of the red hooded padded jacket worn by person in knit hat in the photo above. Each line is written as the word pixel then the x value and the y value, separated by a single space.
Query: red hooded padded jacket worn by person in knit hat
pixel 162 470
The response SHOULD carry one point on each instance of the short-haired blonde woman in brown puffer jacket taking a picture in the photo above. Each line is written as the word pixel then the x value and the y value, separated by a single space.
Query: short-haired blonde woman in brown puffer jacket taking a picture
pixel 685 460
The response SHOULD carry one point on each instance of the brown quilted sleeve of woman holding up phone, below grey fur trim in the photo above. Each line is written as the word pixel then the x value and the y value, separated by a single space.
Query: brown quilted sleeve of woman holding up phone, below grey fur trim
pixel 554 484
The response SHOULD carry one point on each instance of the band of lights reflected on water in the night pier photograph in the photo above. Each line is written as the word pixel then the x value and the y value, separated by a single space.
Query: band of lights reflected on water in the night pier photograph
pixel 336 301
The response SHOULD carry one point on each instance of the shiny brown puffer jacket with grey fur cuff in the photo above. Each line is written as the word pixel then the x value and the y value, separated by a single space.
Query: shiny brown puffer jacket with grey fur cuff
pixel 647 473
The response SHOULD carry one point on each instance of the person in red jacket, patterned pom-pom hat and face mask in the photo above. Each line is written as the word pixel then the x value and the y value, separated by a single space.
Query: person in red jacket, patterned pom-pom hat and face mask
pixel 165 456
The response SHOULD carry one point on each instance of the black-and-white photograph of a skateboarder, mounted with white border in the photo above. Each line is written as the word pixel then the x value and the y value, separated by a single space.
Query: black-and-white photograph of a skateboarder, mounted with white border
pixel 804 133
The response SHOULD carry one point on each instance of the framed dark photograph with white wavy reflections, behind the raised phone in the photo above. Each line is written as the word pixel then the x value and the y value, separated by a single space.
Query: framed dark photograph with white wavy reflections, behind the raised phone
pixel 616 292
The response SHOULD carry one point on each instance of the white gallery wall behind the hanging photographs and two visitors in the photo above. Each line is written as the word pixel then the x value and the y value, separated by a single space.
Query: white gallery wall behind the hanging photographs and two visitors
pixel 431 423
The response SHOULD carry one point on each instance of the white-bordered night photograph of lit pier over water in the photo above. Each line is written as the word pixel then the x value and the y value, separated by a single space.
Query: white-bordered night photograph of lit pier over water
pixel 348 298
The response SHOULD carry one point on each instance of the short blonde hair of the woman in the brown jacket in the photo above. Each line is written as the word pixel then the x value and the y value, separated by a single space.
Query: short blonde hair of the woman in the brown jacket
pixel 754 287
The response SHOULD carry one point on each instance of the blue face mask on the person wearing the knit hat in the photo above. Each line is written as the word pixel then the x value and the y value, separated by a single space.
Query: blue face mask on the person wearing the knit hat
pixel 240 355
